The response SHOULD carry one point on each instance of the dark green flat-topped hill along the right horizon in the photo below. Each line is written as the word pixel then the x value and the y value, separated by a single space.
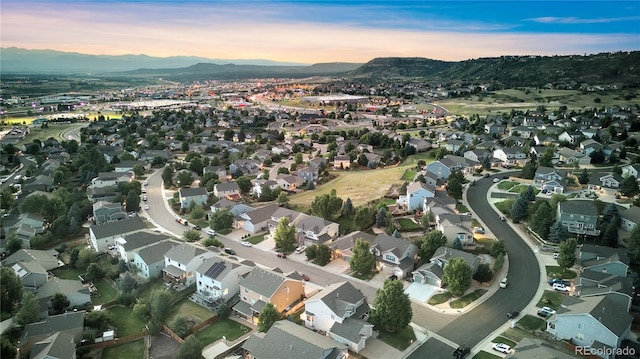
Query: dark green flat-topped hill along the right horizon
pixel 619 67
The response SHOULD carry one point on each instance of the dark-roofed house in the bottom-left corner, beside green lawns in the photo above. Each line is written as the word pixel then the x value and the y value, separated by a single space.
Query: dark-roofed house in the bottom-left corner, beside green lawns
pixel 70 323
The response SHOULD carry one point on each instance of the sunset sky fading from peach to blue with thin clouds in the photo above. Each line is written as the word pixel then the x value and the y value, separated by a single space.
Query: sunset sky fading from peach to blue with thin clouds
pixel 322 31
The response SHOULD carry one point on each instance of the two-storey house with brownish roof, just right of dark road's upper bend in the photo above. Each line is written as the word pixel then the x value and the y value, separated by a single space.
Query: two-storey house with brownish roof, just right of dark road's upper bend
pixel 578 217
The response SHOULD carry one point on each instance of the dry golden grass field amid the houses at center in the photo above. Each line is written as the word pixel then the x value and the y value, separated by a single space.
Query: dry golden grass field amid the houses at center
pixel 362 186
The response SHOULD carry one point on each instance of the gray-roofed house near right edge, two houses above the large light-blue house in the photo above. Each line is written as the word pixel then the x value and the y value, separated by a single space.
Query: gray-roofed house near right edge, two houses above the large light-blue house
pixel 604 259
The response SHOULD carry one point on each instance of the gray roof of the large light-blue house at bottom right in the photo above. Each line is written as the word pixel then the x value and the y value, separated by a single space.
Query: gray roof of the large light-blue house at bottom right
pixel 602 308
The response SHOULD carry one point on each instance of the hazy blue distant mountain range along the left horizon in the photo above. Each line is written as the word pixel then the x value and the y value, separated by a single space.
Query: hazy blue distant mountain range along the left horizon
pixel 16 60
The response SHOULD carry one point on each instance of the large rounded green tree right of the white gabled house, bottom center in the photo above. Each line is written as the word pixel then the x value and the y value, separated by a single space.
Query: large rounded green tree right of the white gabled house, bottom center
pixel 391 307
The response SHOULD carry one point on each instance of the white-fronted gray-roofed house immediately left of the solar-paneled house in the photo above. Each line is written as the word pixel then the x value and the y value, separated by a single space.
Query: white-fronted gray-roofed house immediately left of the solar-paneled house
pixel 181 262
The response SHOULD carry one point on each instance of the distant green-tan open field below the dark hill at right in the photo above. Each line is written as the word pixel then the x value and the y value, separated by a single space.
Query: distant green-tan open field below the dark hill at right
pixel 529 99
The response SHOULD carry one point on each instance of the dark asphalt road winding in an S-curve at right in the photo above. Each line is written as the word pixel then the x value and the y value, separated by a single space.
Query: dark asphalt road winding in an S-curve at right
pixel 523 274
